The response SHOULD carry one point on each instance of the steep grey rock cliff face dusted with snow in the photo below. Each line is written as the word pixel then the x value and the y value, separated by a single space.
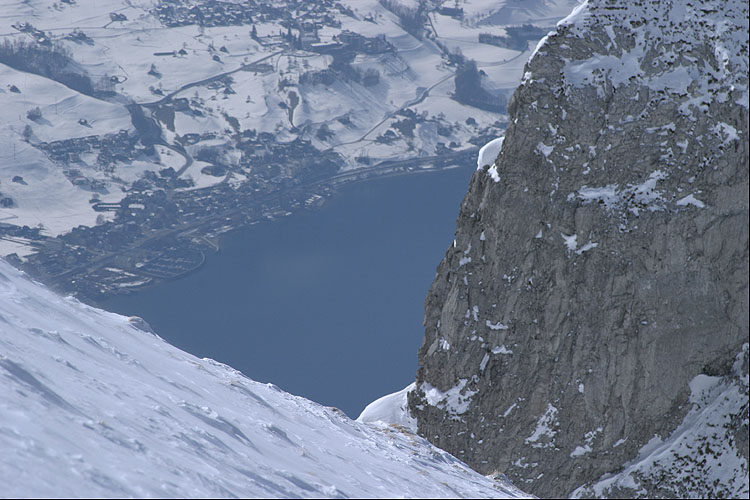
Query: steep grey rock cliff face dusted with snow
pixel 601 264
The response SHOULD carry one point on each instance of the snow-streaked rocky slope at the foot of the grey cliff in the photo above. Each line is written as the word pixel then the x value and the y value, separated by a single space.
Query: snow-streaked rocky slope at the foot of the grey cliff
pixel 700 456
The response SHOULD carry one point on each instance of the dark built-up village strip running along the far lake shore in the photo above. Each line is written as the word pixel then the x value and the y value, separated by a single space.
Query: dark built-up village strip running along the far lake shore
pixel 155 237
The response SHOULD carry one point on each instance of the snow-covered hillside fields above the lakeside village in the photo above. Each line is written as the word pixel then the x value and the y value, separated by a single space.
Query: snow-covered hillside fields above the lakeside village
pixel 124 47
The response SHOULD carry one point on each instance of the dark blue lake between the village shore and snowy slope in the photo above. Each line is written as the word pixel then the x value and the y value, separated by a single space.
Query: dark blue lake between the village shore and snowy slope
pixel 325 304
